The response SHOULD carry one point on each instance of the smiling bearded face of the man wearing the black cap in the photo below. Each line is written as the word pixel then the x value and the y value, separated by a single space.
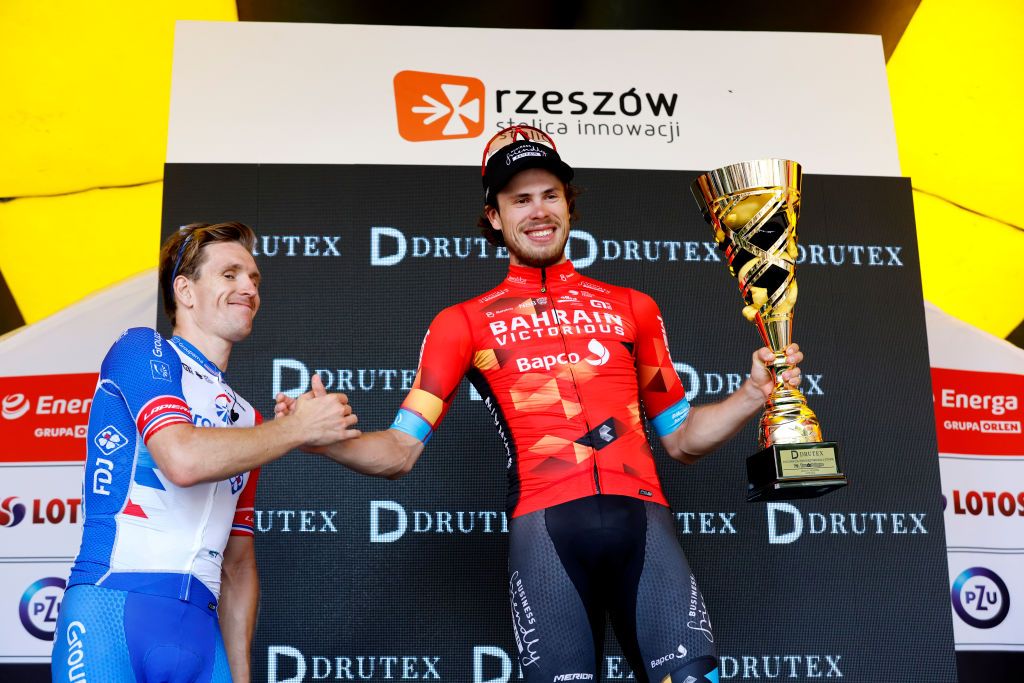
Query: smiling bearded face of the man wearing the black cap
pixel 533 216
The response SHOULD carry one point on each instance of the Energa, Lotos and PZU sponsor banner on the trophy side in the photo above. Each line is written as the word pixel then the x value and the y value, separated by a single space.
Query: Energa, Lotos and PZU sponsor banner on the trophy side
pixel 978 383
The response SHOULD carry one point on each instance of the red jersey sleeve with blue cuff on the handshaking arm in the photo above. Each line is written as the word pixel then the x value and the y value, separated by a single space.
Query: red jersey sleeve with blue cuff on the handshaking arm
pixel 445 358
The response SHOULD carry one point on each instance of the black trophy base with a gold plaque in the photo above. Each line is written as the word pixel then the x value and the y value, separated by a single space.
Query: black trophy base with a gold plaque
pixel 791 472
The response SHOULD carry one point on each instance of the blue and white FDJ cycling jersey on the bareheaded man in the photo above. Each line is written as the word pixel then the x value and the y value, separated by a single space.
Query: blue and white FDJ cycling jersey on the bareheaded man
pixel 142 533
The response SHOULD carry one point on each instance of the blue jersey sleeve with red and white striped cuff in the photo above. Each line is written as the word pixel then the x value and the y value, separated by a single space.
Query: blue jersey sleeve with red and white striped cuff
pixel 144 369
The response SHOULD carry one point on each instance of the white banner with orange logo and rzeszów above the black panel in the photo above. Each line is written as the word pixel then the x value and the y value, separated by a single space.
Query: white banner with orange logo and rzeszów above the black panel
pixel 653 100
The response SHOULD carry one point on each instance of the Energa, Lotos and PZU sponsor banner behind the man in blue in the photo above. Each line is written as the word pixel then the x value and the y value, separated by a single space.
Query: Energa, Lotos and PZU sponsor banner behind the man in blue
pixel 48 377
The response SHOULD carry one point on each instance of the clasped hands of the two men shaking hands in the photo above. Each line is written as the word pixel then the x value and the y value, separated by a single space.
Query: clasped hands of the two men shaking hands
pixel 321 418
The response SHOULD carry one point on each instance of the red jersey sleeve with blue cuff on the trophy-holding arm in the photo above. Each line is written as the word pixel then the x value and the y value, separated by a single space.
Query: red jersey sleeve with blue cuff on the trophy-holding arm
pixel 661 391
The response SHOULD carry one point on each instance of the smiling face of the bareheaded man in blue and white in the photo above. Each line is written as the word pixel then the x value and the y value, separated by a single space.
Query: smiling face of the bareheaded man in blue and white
pixel 225 297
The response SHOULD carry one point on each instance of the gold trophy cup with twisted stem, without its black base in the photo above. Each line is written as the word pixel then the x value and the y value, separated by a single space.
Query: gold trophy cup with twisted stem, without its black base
pixel 753 208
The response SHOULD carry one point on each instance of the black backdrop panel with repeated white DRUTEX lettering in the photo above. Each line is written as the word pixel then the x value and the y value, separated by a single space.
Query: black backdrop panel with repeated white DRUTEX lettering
pixel 373 580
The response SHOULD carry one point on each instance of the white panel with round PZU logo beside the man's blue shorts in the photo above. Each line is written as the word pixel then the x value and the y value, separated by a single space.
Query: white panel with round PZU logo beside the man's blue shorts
pixel 30 602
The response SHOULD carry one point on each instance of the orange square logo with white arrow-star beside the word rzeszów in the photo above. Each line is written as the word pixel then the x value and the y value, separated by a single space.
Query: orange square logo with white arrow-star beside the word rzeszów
pixel 438 107
